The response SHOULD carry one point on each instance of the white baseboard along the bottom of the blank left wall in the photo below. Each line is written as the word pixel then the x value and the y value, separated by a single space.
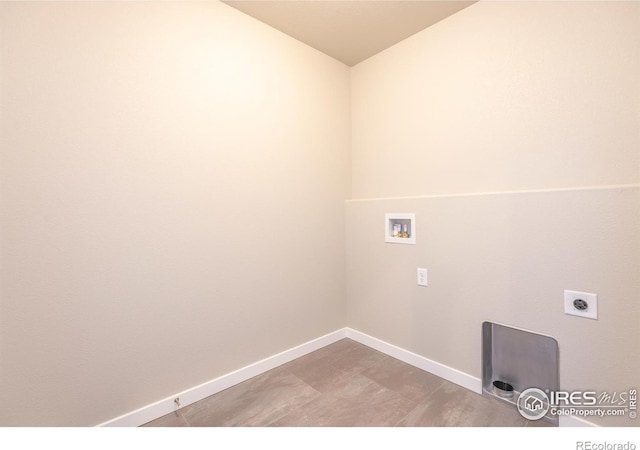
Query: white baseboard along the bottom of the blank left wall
pixel 194 394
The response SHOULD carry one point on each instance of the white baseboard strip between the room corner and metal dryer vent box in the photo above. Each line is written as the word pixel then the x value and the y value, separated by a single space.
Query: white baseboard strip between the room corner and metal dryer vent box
pixel 448 373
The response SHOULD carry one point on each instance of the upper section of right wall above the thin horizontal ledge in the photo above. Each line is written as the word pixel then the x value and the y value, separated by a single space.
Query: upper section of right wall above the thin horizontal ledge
pixel 502 96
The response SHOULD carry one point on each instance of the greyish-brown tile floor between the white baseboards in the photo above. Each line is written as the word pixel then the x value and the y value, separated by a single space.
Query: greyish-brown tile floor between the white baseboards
pixel 346 384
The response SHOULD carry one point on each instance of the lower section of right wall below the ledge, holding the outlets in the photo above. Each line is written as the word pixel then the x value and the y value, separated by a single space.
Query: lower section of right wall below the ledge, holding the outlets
pixel 504 258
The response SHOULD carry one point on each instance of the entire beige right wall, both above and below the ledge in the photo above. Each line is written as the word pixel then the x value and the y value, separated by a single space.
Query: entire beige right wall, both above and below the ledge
pixel 504 96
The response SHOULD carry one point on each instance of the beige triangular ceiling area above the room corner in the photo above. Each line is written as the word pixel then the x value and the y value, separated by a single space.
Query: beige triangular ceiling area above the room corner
pixel 349 30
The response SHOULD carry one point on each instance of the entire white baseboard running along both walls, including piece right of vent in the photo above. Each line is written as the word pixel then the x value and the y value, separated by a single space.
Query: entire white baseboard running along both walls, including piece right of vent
pixel 194 394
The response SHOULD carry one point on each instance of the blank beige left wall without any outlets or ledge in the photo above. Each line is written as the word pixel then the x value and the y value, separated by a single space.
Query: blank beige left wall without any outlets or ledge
pixel 173 178
